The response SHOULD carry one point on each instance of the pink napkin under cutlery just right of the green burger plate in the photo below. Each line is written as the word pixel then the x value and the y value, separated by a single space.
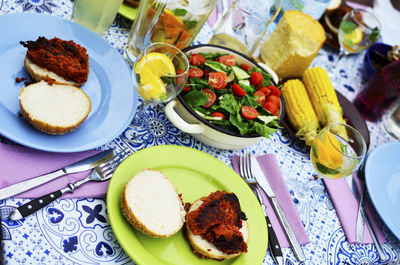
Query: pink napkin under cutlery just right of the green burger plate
pixel 273 174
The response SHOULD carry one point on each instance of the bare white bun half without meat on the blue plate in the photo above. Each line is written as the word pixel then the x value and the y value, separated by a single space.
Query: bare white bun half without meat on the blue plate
pixel 54 109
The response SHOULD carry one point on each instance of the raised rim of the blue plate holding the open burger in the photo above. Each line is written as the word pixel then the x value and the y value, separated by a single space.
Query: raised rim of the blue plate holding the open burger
pixel 96 142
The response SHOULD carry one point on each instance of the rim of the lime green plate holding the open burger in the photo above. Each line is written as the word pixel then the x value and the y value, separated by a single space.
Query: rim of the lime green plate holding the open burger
pixel 177 148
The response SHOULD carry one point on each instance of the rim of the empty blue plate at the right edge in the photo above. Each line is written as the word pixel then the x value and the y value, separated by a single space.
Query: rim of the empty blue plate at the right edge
pixel 395 229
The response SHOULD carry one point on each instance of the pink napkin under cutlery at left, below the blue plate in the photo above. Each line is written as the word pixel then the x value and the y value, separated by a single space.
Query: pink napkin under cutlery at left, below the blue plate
pixel 19 163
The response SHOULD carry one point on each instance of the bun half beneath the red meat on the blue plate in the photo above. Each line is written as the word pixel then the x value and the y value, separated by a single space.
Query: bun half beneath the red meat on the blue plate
pixel 39 73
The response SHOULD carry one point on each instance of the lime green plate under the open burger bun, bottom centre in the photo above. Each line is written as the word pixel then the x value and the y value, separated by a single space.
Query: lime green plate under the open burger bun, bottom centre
pixel 194 174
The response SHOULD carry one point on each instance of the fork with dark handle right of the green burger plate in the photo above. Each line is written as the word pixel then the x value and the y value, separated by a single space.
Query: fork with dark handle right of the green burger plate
pixel 273 243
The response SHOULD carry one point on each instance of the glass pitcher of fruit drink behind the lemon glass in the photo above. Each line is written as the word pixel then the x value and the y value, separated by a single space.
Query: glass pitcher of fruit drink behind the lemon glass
pixel 176 22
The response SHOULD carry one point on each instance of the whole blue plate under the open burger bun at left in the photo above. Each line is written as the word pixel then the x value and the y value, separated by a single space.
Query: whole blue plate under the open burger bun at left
pixel 109 86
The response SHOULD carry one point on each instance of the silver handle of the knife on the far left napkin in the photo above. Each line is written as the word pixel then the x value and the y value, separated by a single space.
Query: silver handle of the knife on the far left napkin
pixel 28 184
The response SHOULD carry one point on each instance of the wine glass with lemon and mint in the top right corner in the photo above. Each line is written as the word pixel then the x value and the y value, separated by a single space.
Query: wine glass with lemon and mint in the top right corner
pixel 358 30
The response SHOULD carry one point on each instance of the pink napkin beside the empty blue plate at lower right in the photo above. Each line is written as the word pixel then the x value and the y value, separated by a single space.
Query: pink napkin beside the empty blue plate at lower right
pixel 346 208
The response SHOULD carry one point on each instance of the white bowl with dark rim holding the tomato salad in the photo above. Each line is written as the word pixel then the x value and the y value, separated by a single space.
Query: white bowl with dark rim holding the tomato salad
pixel 190 121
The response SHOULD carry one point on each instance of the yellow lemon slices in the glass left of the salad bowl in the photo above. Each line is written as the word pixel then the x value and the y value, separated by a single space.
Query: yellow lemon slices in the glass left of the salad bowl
pixel 151 68
